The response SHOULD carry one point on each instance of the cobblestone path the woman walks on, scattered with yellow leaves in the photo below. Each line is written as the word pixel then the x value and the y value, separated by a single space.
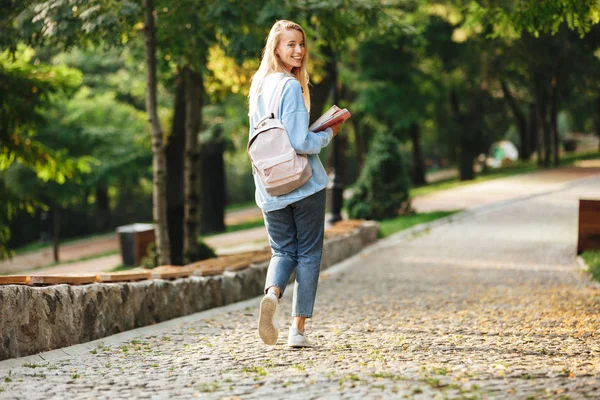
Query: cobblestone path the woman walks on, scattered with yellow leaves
pixel 490 306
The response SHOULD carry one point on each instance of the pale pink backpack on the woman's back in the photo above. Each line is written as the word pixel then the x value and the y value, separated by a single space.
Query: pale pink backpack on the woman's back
pixel 277 164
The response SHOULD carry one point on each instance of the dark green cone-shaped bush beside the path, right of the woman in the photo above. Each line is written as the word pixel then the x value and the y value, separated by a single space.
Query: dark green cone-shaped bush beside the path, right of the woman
pixel 383 186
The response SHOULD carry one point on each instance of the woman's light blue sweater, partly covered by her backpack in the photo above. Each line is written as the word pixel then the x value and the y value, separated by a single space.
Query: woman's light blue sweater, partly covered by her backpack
pixel 294 116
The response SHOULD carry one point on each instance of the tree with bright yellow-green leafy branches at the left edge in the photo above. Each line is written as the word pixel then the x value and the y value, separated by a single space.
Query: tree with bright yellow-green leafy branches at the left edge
pixel 25 90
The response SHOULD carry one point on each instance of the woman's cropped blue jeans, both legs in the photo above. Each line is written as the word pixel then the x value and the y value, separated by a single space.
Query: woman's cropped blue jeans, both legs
pixel 296 239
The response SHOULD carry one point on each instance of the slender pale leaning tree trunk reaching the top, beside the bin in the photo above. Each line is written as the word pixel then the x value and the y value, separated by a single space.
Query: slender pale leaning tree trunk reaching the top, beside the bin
pixel 159 193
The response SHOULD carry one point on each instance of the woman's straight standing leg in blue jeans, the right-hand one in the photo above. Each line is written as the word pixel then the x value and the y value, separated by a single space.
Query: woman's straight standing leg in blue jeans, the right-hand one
pixel 309 217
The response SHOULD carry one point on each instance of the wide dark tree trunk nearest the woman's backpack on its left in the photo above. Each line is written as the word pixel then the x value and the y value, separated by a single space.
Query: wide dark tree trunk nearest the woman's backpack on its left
pixel 212 185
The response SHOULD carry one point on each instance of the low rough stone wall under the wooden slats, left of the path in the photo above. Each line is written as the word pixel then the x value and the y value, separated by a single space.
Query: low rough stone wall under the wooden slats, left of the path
pixel 36 319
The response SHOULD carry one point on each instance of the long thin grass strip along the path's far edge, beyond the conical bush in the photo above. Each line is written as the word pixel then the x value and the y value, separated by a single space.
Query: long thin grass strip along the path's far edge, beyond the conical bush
pixel 515 169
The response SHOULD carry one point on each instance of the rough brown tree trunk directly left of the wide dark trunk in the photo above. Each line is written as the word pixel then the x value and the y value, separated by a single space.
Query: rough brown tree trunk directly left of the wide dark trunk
pixel 191 207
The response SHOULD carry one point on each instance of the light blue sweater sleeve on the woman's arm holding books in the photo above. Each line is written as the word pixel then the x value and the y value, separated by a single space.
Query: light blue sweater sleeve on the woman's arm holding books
pixel 294 117
